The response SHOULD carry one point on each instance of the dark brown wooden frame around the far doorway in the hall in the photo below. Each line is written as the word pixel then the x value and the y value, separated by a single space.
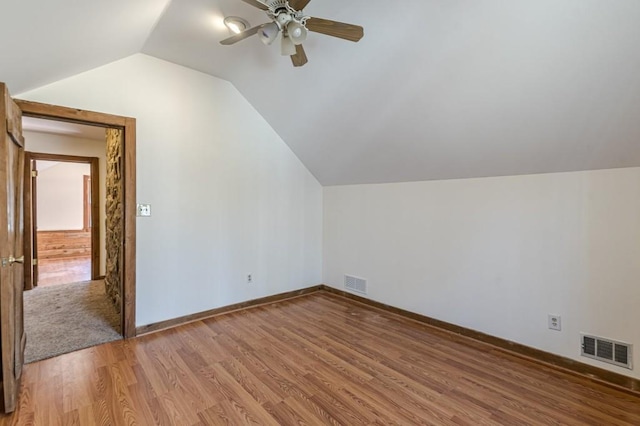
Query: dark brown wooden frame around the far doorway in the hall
pixel 30 220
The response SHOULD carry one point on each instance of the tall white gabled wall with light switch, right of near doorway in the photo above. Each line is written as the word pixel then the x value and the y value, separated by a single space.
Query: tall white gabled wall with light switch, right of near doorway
pixel 228 196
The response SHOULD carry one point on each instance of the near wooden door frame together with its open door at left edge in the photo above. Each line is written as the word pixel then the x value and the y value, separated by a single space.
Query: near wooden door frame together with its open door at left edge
pixel 16 248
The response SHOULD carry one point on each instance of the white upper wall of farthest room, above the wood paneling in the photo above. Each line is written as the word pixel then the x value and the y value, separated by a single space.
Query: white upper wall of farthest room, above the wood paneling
pixel 60 196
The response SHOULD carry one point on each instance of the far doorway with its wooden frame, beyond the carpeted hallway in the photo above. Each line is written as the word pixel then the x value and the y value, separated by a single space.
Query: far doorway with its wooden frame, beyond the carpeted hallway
pixel 65 212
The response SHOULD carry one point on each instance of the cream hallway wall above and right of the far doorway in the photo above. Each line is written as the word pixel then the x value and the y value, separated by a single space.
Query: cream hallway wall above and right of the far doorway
pixel 47 143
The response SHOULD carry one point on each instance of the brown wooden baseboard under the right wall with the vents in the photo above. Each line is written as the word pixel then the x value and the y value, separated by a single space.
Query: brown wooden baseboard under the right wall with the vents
pixel 599 375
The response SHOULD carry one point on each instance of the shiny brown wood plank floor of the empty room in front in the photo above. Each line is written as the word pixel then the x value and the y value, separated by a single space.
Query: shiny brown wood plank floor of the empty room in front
pixel 315 359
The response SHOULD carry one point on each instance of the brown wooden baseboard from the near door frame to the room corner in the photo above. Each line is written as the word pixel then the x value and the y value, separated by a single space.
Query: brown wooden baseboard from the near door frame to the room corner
pixel 162 325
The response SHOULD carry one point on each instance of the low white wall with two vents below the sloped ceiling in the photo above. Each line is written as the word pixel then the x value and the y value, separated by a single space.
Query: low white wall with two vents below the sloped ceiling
pixel 498 255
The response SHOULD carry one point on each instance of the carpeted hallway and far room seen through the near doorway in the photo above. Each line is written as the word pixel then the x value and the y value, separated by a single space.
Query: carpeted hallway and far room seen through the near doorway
pixel 66 306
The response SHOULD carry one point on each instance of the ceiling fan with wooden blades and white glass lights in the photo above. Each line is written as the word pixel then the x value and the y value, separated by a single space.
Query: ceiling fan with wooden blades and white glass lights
pixel 290 22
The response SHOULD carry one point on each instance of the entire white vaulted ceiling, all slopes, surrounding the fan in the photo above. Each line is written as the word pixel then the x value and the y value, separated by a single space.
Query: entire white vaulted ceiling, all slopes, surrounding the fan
pixel 435 89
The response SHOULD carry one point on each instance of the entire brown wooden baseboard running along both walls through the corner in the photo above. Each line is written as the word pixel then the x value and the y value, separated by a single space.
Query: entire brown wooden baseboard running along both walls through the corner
pixel 595 374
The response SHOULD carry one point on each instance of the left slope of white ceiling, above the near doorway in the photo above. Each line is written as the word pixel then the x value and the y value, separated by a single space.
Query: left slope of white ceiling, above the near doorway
pixel 43 41
